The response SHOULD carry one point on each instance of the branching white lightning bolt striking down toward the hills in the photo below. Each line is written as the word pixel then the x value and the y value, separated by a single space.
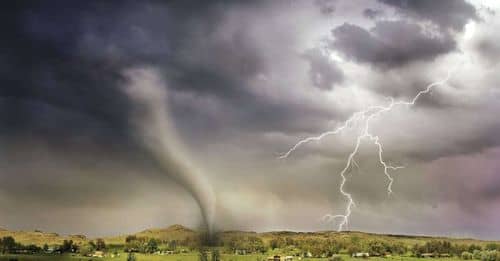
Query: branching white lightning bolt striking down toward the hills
pixel 365 117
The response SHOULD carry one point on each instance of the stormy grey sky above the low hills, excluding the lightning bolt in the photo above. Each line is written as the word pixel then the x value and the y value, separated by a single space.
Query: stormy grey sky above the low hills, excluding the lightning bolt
pixel 118 116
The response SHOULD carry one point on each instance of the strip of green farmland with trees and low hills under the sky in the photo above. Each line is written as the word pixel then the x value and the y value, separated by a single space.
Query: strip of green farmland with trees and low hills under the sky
pixel 180 243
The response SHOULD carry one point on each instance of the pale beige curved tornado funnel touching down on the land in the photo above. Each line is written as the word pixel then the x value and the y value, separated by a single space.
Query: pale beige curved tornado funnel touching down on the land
pixel 150 119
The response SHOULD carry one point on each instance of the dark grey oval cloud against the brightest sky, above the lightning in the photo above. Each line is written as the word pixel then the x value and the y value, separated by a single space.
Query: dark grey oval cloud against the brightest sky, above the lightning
pixel 390 43
